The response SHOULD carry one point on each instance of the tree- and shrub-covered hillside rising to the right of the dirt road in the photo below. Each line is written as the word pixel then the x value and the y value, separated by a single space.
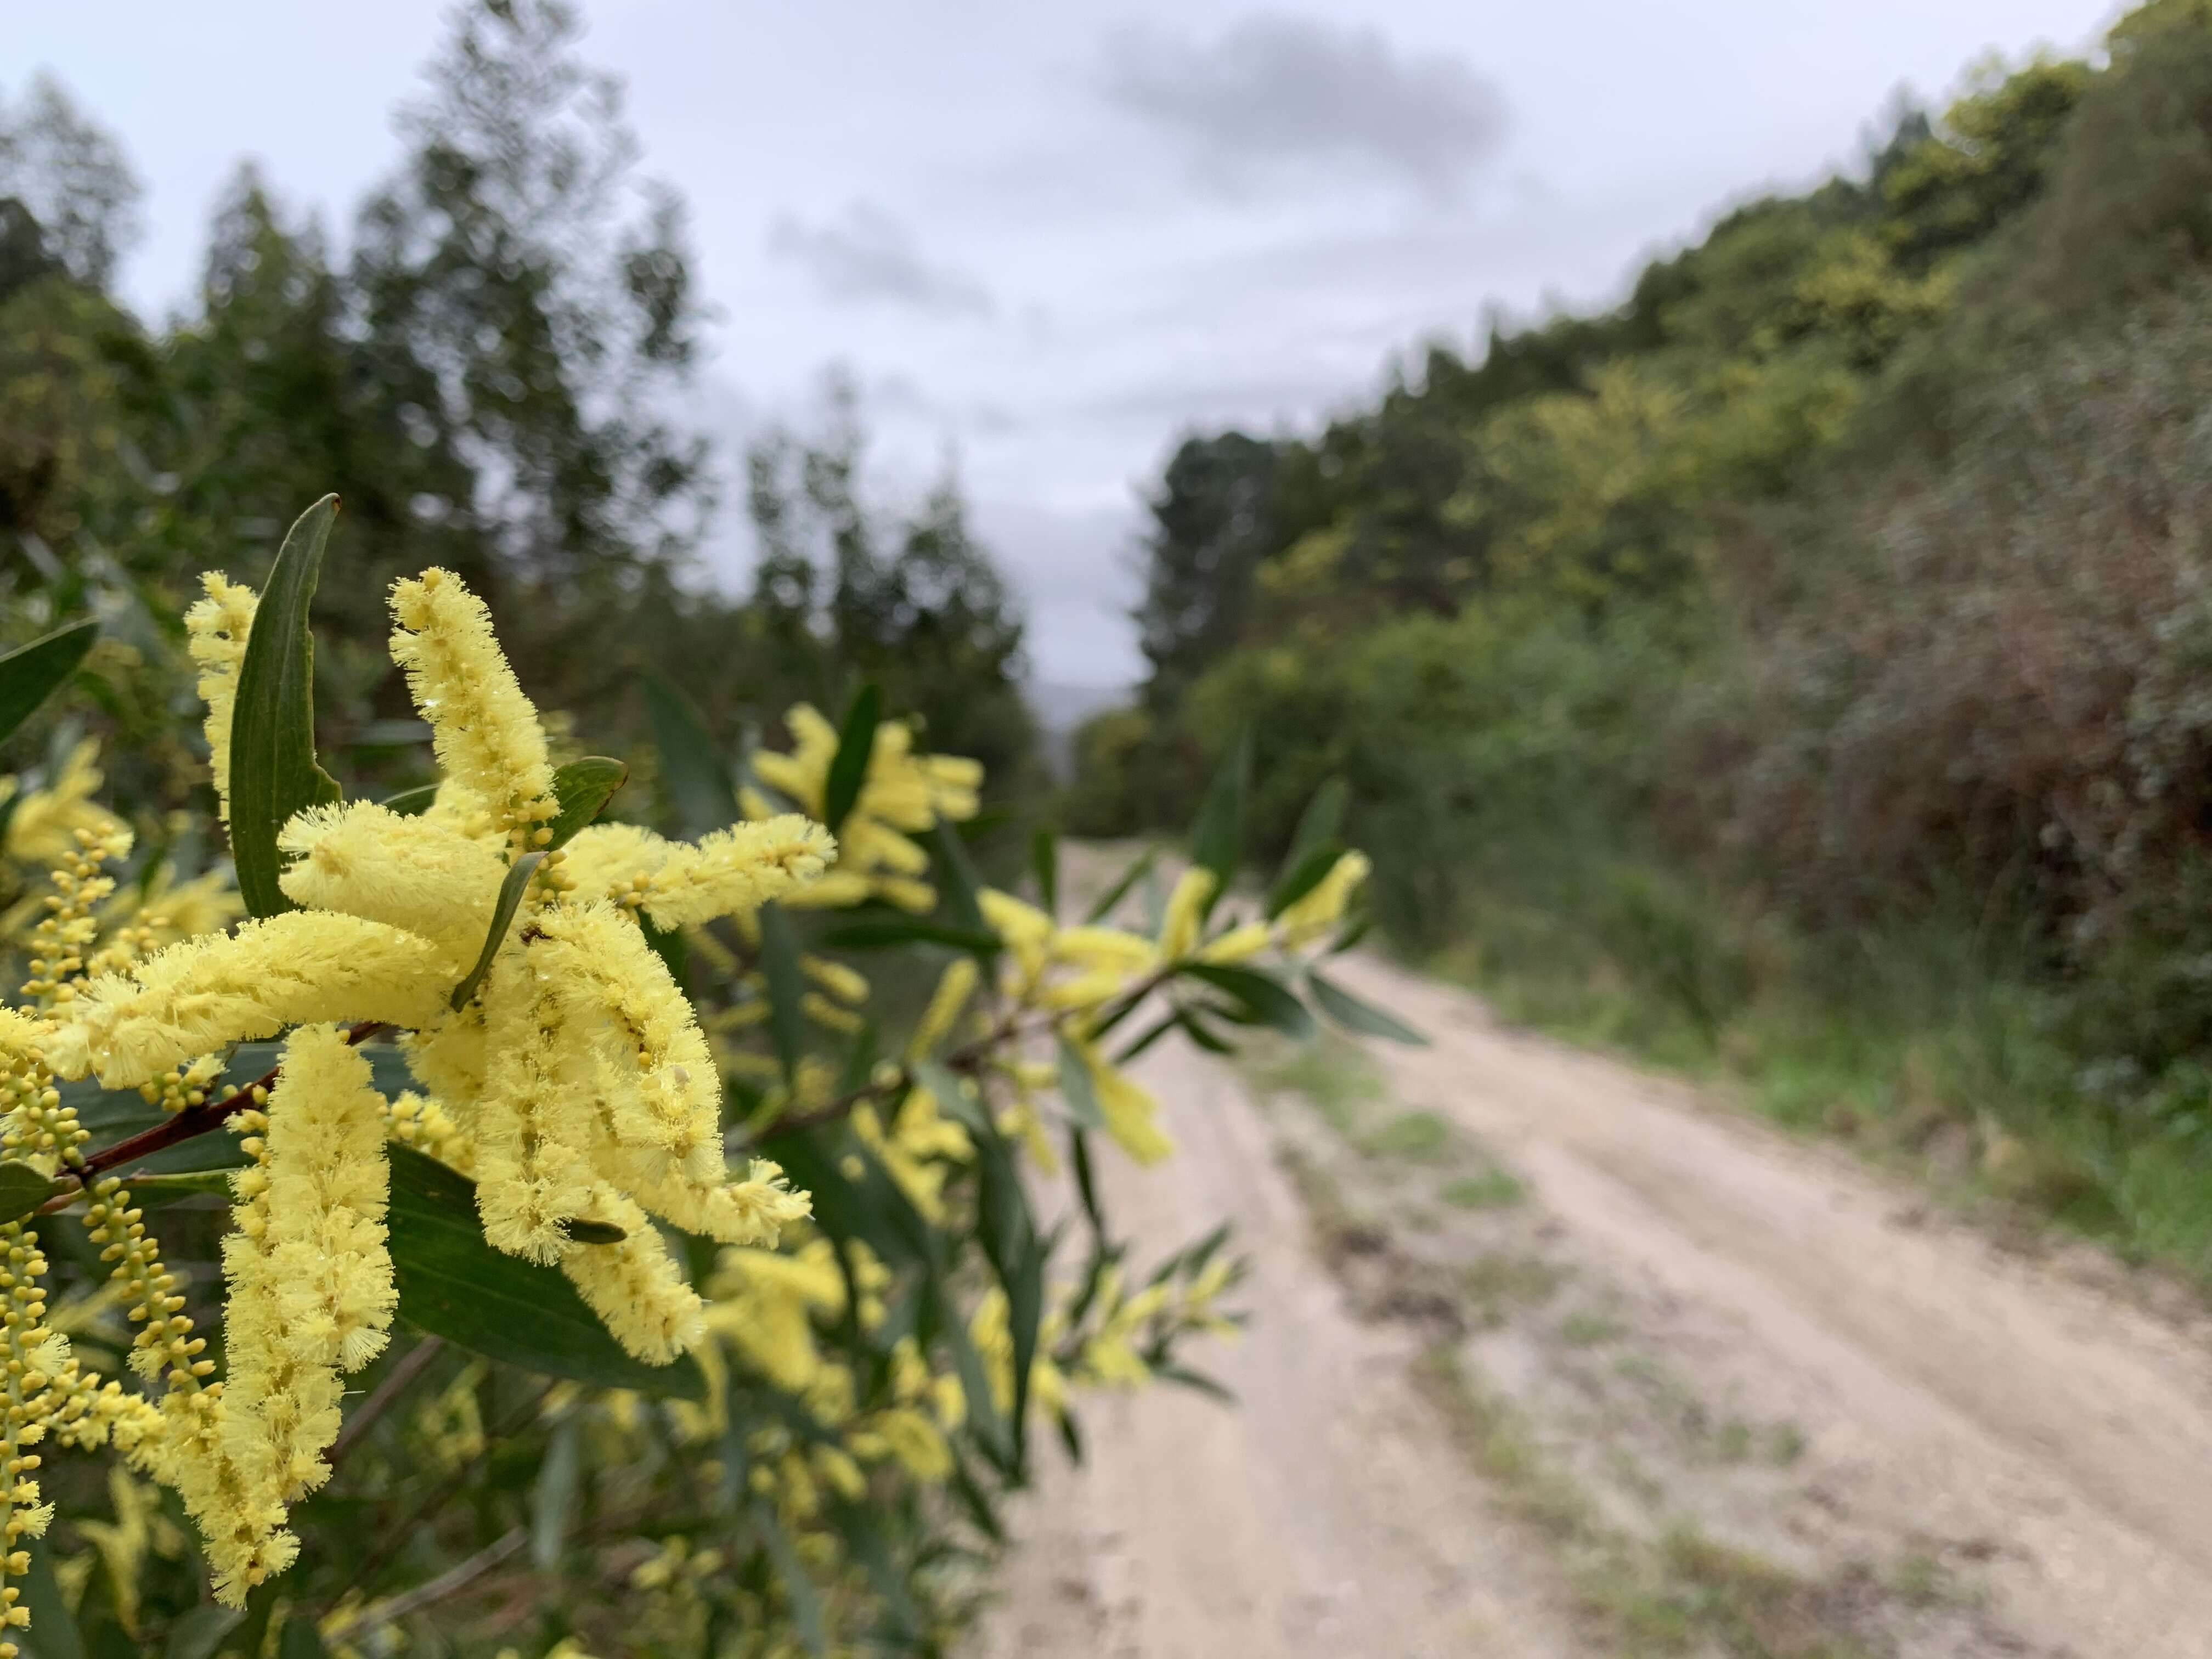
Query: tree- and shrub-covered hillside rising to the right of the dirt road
pixel 1802 671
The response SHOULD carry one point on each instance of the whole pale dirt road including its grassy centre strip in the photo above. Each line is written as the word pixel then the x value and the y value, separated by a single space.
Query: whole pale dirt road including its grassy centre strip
pixel 1554 1359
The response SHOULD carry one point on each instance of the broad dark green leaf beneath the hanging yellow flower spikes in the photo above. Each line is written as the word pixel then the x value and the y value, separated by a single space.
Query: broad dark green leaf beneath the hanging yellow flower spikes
pixel 457 1286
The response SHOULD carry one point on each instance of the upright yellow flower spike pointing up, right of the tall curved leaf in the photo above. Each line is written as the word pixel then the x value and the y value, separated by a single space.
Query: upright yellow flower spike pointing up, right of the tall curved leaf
pixel 483 729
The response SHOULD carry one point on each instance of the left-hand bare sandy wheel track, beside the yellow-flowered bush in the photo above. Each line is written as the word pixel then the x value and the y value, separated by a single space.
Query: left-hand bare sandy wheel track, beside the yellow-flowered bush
pixel 1317 1519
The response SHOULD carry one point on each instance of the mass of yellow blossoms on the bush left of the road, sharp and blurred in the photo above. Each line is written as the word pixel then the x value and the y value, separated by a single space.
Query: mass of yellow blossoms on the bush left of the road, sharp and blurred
pixel 609 1105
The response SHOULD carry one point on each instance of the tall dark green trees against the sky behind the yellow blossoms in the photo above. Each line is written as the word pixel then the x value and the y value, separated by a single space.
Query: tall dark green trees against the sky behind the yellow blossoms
pixel 488 373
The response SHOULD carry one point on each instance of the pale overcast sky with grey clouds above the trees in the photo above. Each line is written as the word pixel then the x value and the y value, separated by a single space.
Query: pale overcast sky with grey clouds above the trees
pixel 1061 236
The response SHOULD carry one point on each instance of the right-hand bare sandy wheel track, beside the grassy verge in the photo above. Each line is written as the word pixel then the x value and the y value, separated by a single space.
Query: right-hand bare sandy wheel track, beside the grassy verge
pixel 1961 1392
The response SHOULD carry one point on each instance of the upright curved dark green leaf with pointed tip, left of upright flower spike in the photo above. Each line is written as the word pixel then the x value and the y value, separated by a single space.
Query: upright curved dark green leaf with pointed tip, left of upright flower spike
pixel 273 771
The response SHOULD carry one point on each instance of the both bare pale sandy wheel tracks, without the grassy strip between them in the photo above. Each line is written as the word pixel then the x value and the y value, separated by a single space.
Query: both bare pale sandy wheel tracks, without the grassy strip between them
pixel 2005 1417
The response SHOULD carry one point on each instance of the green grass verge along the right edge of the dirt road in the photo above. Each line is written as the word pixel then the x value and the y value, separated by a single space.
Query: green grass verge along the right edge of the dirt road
pixel 1926 1052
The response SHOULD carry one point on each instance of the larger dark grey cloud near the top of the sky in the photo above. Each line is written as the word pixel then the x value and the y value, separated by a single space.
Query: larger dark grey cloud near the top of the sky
pixel 1282 90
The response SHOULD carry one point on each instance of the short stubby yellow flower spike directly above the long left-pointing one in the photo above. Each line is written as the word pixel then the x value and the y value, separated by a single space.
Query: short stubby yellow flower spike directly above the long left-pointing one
pixel 417 875
